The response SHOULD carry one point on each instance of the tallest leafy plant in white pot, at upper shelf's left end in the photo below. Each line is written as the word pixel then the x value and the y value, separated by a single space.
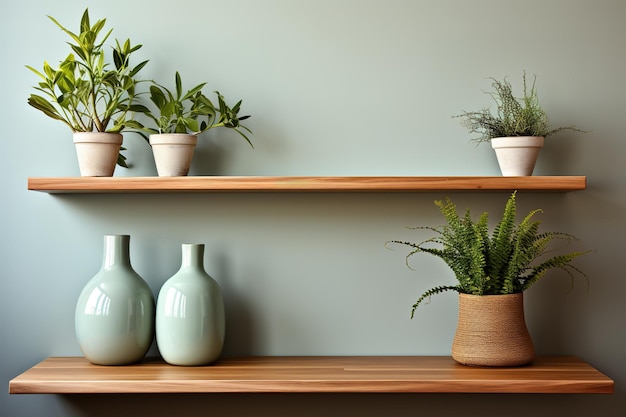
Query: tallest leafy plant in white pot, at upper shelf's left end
pixel 94 99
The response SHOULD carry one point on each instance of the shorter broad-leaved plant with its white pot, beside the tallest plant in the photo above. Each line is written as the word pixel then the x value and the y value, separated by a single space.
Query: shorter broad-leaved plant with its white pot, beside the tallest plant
pixel 179 119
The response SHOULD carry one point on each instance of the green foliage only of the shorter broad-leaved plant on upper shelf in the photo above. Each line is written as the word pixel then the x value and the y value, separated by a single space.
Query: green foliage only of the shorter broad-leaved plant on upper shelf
pixel 191 112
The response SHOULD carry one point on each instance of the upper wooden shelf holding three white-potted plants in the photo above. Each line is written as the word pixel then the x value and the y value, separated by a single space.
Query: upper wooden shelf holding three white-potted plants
pixel 70 185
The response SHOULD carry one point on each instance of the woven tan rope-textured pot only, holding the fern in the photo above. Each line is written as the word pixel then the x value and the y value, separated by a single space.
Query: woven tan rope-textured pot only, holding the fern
pixel 492 331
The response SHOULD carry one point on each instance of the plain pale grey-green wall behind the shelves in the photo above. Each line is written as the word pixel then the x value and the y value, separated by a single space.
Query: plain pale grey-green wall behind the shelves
pixel 335 87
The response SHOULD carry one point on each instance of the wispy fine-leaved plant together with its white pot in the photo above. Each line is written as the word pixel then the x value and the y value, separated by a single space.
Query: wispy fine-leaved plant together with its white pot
pixel 517 129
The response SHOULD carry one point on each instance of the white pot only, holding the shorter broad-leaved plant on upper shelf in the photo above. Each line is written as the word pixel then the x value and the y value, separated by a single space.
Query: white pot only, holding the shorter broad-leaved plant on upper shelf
pixel 173 153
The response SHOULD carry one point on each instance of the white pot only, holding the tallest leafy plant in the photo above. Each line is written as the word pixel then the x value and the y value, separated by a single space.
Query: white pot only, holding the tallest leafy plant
pixel 97 152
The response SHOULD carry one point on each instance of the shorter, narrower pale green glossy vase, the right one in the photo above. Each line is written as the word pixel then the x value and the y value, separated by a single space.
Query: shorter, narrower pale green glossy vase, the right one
pixel 190 318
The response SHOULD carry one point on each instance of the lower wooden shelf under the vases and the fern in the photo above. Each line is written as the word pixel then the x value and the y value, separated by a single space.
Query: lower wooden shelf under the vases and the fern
pixel 330 374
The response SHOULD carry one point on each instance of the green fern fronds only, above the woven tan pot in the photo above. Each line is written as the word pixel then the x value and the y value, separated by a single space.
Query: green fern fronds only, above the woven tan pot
pixel 509 260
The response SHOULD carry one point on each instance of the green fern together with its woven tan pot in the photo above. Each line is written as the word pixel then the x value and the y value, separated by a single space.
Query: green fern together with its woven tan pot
pixel 492 272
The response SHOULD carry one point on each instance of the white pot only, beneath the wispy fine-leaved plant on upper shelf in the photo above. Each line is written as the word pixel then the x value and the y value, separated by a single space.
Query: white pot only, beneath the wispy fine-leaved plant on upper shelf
pixel 517 155
